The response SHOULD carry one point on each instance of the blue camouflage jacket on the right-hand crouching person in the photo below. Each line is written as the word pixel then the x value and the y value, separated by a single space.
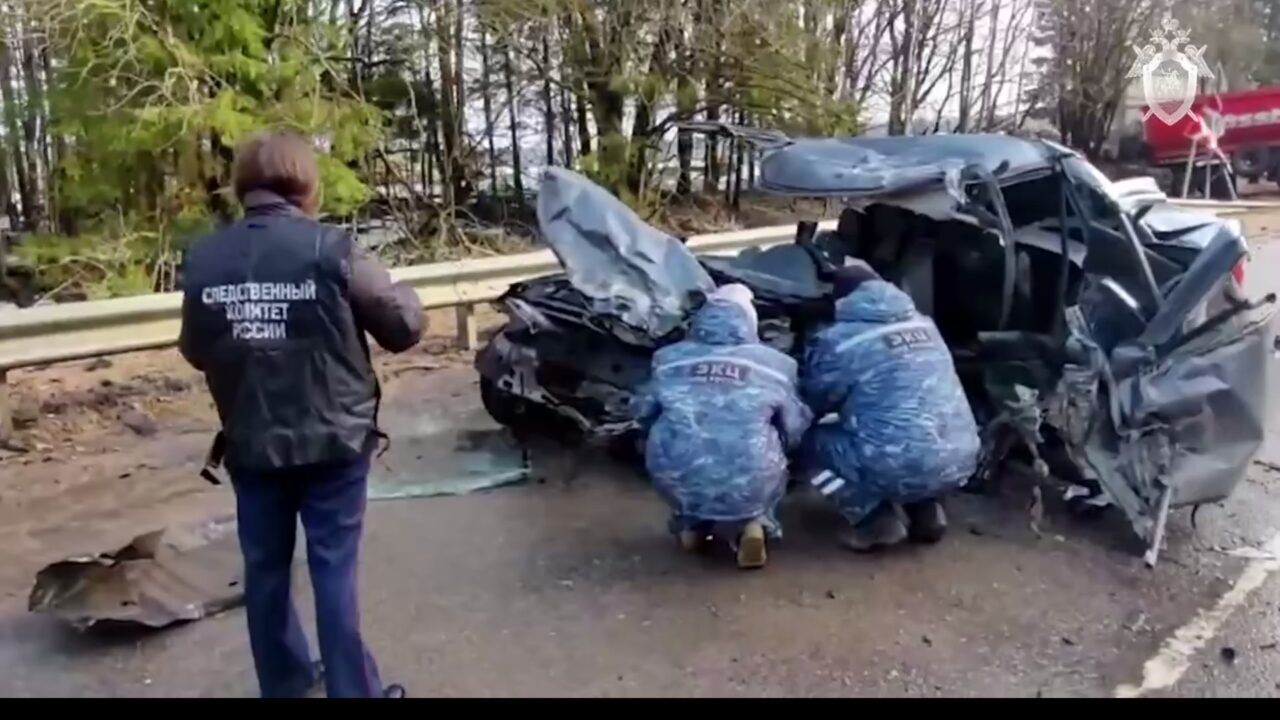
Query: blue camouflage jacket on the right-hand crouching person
pixel 888 372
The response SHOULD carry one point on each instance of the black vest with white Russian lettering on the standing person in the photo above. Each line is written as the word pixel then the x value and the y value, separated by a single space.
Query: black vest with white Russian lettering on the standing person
pixel 267 311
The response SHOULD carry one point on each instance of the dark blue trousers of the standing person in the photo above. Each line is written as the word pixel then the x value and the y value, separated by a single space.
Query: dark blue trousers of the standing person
pixel 331 500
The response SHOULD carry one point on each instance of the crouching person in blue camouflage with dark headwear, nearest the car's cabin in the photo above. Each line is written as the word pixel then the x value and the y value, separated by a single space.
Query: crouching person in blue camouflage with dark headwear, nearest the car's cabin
pixel 906 432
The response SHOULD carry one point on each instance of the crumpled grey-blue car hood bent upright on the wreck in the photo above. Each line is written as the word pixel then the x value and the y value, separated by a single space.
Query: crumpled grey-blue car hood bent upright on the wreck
pixel 627 268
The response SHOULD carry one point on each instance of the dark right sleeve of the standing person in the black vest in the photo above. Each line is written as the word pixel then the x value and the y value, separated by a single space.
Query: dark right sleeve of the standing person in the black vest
pixel 391 313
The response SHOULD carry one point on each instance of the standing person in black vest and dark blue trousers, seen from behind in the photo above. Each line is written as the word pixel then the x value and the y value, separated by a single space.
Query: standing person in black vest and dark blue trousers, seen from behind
pixel 275 315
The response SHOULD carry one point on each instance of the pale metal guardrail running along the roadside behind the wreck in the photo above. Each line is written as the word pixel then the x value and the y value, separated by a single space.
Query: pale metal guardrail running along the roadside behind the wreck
pixel 80 331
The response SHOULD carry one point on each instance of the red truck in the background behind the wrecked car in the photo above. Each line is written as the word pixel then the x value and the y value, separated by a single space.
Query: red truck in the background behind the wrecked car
pixel 1245 125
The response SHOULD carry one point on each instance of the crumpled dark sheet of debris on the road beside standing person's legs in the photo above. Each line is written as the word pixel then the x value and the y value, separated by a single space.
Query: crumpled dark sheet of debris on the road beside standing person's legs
pixel 164 577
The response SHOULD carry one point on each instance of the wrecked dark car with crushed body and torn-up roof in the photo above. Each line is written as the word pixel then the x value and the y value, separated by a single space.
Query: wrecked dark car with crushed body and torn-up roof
pixel 1101 334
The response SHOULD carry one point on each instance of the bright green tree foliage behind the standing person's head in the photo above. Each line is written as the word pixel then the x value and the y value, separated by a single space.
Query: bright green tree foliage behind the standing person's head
pixel 156 97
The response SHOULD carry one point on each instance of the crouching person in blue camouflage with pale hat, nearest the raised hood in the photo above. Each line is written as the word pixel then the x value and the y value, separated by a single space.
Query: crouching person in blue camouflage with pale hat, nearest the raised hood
pixel 723 414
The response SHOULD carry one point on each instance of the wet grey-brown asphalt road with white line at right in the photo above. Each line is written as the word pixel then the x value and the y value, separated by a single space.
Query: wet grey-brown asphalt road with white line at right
pixel 569 586
